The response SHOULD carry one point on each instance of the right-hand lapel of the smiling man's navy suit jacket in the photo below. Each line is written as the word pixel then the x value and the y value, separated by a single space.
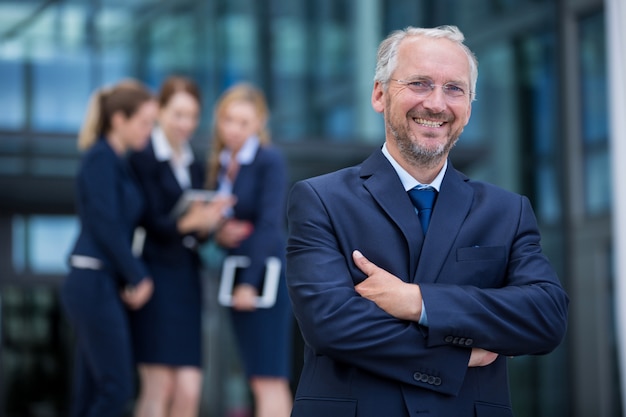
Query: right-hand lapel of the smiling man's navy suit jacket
pixel 451 209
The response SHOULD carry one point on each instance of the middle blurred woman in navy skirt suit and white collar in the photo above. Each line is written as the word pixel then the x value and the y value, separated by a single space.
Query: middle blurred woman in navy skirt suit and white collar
pixel 167 330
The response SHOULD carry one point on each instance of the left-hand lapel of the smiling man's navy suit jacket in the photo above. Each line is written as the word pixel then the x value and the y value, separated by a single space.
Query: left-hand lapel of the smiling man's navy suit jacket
pixel 385 187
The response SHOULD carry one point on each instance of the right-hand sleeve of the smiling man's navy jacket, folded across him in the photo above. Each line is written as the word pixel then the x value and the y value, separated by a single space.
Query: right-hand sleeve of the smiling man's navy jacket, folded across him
pixel 527 314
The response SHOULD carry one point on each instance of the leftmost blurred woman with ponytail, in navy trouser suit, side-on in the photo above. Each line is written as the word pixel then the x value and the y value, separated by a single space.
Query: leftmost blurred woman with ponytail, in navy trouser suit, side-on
pixel 104 273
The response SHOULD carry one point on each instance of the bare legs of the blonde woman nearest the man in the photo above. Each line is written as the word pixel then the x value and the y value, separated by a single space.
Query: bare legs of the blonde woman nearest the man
pixel 272 396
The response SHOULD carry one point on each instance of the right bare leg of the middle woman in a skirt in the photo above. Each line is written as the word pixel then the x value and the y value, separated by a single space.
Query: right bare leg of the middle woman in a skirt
pixel 187 391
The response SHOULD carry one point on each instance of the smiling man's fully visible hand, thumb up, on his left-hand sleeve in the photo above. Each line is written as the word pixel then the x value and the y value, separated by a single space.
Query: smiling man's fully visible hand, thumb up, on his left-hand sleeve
pixel 398 298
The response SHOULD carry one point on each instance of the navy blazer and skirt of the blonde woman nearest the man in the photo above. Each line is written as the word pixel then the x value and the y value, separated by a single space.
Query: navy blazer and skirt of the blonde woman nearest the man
pixel 264 336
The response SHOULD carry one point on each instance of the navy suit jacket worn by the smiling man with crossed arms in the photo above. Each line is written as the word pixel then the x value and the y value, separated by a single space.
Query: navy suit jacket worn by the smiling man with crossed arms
pixel 483 277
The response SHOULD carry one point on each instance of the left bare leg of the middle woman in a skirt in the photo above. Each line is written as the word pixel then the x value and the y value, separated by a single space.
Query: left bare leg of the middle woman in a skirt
pixel 156 390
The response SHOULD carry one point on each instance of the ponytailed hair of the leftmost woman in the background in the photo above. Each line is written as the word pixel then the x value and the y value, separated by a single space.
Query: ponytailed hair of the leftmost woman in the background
pixel 125 97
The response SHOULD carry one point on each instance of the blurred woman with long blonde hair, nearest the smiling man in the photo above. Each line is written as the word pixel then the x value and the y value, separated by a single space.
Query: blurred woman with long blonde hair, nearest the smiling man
pixel 243 163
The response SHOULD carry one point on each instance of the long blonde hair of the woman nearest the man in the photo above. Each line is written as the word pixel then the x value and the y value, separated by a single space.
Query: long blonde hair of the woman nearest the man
pixel 239 92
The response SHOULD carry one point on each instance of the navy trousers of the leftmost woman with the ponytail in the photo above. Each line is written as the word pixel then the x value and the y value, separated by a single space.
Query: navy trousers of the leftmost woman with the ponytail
pixel 104 374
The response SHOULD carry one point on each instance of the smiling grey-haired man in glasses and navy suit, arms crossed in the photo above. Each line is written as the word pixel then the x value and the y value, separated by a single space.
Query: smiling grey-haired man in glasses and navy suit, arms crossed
pixel 411 283
